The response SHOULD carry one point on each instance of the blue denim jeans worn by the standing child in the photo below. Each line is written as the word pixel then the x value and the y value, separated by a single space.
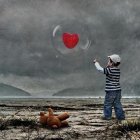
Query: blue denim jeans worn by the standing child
pixel 112 99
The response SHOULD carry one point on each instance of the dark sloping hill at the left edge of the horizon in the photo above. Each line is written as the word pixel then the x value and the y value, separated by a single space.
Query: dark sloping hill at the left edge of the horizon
pixel 7 90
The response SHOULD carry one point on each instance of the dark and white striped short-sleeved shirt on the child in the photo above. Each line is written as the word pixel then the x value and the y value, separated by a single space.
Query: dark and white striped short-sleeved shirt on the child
pixel 112 78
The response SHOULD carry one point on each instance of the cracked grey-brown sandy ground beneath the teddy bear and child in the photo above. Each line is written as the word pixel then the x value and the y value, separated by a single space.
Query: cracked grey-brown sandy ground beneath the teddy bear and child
pixel 84 121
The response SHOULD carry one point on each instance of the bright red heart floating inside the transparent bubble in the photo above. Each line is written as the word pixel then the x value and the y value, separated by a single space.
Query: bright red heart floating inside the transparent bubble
pixel 70 40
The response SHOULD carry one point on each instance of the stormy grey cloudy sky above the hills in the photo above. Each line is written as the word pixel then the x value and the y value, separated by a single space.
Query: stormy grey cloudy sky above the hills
pixel 34 60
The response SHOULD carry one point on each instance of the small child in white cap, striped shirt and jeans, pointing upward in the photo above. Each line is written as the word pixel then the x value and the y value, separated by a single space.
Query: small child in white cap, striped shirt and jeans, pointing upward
pixel 112 89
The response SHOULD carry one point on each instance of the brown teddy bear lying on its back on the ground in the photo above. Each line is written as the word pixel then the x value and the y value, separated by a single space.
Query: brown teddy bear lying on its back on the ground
pixel 53 120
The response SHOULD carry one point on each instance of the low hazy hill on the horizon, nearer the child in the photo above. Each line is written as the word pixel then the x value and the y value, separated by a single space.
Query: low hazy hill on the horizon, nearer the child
pixel 77 92
